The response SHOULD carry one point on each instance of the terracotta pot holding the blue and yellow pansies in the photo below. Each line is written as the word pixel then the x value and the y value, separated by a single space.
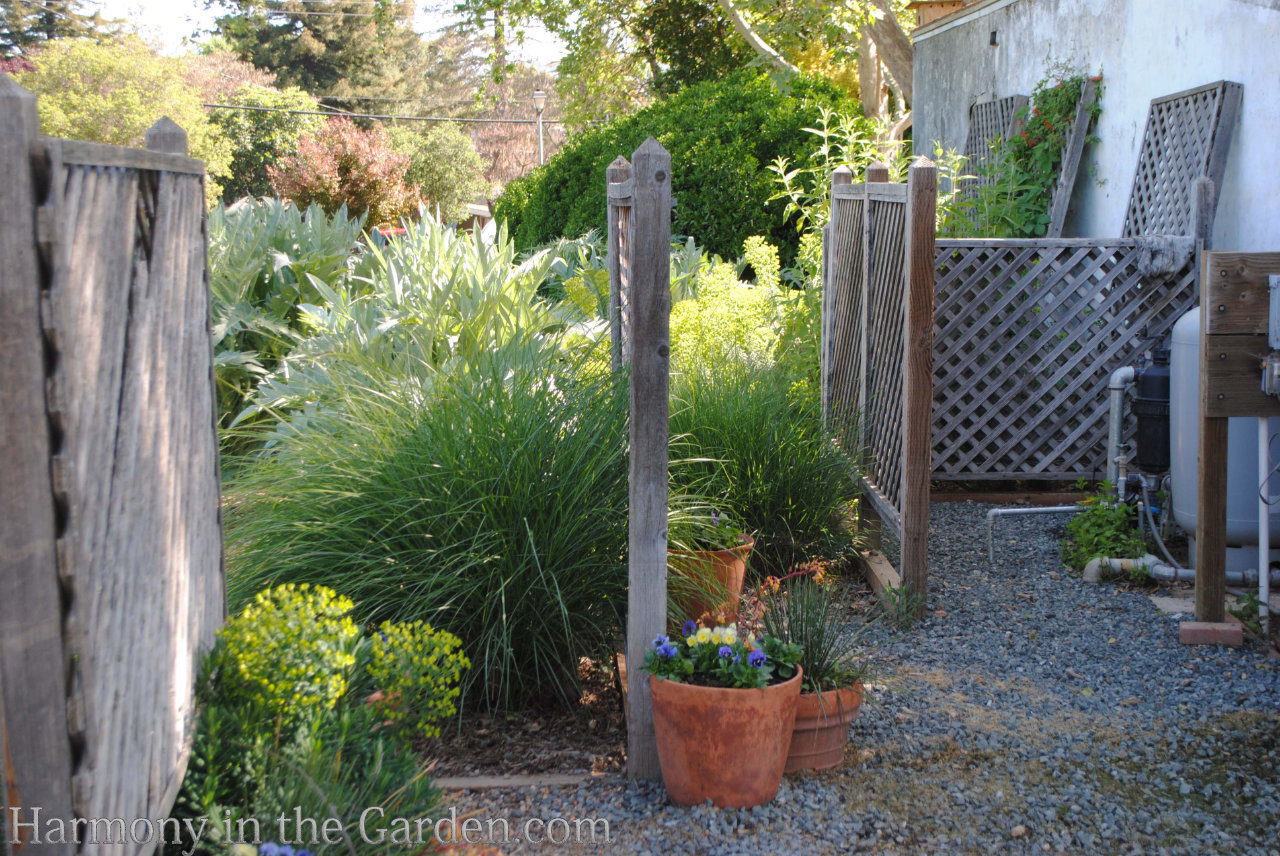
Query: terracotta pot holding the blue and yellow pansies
pixel 723 745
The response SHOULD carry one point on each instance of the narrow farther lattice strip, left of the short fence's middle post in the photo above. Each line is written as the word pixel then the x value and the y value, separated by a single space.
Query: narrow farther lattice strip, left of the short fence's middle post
pixel 845 345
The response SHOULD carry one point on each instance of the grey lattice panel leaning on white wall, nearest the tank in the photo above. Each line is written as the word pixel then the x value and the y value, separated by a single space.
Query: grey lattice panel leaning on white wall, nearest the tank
pixel 1187 136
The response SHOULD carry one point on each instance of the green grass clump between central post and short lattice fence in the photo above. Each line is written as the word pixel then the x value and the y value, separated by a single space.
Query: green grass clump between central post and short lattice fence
pixel 752 440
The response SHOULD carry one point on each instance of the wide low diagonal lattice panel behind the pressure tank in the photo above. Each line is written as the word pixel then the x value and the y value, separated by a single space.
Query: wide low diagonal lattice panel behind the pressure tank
pixel 1026 338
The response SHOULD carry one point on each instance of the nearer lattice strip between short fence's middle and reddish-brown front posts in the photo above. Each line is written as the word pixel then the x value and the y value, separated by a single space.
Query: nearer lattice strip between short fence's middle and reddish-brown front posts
pixel 883 406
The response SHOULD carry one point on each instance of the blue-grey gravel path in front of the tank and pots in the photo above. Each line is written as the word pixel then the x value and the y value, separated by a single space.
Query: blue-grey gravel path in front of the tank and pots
pixel 1031 713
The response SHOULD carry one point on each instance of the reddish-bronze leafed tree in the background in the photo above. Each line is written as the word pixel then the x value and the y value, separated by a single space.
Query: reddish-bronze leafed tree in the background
pixel 344 164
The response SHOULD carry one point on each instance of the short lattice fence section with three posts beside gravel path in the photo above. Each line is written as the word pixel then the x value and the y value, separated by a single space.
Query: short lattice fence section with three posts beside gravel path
pixel 877 350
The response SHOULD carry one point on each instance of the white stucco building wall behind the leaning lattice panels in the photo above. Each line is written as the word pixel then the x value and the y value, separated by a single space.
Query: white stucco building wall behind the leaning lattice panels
pixel 1145 49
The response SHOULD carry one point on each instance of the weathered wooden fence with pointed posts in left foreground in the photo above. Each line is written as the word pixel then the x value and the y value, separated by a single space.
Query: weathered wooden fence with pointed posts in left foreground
pixel 111 537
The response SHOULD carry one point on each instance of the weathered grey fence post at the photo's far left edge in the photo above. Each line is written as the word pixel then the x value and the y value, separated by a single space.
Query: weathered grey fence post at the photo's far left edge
pixel 35 754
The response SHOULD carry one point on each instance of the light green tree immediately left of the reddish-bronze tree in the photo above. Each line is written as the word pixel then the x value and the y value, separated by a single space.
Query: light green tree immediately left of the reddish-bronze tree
pixel 262 138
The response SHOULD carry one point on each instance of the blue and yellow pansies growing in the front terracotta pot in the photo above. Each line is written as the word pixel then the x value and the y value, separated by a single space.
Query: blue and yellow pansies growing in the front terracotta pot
pixel 719 657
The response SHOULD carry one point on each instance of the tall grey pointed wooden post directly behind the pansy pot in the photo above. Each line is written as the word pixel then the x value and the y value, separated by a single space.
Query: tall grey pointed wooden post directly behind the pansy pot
pixel 651 358
